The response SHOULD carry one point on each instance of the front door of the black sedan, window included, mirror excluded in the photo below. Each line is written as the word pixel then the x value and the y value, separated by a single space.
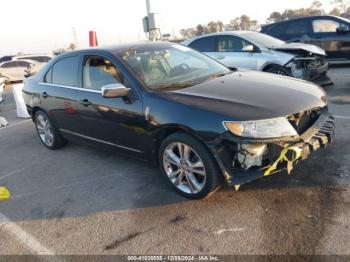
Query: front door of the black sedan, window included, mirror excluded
pixel 118 121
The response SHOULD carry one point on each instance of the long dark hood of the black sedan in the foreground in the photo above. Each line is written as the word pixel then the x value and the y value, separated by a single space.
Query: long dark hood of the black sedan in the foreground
pixel 251 95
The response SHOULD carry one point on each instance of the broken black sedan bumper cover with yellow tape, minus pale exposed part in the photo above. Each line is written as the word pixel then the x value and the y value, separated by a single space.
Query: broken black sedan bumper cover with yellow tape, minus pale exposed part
pixel 290 152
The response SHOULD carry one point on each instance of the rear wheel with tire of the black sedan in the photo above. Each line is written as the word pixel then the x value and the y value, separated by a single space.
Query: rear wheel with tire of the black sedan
pixel 47 132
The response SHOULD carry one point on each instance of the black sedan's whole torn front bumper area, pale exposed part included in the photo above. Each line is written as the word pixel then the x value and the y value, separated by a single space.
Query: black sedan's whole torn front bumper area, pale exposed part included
pixel 244 160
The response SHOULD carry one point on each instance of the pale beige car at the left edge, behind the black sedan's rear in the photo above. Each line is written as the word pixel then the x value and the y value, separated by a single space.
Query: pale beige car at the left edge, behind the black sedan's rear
pixel 16 70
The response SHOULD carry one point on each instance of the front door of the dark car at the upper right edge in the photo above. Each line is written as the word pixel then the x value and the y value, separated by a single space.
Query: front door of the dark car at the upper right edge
pixel 325 35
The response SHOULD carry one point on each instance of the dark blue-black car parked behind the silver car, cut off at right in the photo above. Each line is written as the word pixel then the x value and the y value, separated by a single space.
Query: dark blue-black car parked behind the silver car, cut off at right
pixel 331 33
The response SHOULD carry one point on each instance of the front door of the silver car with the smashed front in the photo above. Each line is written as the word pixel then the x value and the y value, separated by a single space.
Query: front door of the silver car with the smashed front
pixel 230 52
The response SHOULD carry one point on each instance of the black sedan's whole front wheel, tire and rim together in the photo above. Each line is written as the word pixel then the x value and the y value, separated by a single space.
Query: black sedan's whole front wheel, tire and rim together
pixel 189 166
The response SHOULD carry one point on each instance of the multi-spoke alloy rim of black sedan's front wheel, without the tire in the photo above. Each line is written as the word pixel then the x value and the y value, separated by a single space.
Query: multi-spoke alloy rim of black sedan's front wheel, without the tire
pixel 184 168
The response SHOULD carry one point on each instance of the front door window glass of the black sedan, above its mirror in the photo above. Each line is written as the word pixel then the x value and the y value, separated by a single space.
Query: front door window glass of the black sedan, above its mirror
pixel 98 71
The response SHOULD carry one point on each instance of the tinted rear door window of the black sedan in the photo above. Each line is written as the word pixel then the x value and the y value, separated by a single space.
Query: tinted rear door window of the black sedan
pixel 65 72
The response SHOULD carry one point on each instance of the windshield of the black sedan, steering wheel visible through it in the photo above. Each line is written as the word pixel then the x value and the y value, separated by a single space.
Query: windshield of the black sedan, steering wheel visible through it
pixel 171 66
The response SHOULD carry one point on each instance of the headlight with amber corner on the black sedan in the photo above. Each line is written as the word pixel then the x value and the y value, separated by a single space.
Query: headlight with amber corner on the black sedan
pixel 269 128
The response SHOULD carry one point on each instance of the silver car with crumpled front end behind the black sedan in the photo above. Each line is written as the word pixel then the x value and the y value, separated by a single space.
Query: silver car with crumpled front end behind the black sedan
pixel 256 51
